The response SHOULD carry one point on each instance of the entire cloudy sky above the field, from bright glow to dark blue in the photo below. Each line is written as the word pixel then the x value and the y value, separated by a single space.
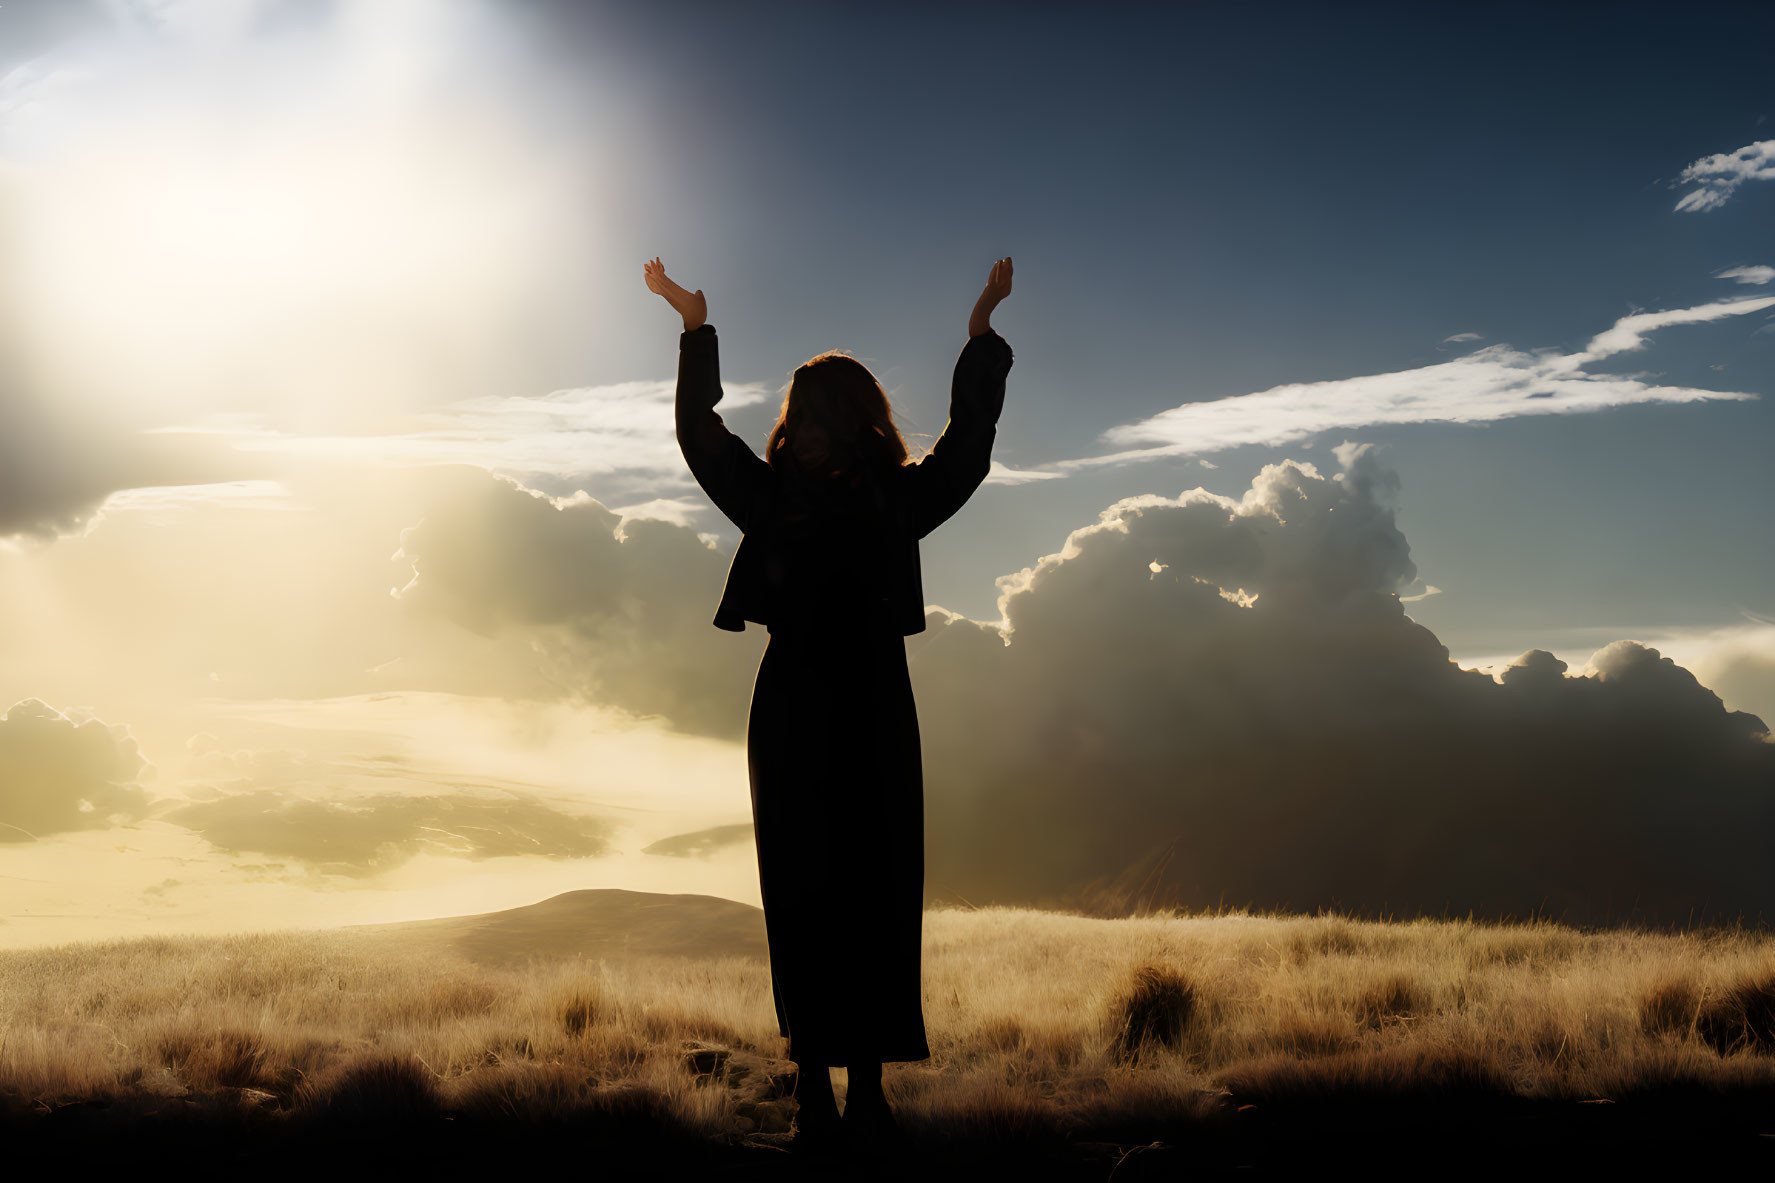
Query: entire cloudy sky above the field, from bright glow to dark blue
pixel 349 569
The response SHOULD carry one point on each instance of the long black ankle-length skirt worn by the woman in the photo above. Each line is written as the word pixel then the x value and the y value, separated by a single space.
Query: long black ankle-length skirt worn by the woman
pixel 839 807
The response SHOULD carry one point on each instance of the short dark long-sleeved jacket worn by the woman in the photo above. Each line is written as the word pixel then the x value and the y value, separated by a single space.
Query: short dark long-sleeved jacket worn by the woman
pixel 848 559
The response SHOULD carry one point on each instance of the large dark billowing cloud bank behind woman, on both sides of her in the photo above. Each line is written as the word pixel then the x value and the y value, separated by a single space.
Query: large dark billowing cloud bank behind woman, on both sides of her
pixel 1224 687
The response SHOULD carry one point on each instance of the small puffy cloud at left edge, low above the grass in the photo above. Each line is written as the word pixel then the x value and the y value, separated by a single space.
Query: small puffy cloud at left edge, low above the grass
pixel 63 772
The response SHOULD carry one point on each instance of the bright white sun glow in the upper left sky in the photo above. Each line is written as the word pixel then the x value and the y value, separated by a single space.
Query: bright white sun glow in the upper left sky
pixel 310 218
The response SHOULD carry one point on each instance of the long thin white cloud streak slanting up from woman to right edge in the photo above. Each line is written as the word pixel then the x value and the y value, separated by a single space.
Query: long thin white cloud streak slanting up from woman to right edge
pixel 1494 383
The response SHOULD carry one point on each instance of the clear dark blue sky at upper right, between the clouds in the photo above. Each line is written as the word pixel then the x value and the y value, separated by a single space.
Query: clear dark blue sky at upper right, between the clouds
pixel 1211 202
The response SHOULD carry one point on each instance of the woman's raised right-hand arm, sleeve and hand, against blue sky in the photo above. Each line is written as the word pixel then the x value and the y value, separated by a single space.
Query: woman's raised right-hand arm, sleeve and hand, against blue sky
pixel 963 456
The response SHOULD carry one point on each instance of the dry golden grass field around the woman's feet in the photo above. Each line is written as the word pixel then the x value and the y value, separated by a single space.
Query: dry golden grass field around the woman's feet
pixel 1068 1045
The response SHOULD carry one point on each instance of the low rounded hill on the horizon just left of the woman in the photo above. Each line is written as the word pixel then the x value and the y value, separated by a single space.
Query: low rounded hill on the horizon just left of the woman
pixel 592 925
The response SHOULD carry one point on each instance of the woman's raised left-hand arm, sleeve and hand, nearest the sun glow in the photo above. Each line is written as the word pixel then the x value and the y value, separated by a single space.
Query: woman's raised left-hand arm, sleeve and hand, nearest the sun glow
pixel 729 472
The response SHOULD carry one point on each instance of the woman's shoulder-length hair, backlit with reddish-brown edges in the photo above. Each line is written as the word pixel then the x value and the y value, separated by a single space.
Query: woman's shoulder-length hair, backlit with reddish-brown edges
pixel 835 422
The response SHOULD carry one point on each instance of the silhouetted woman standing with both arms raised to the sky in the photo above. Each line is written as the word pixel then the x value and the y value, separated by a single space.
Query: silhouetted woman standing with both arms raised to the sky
pixel 828 564
